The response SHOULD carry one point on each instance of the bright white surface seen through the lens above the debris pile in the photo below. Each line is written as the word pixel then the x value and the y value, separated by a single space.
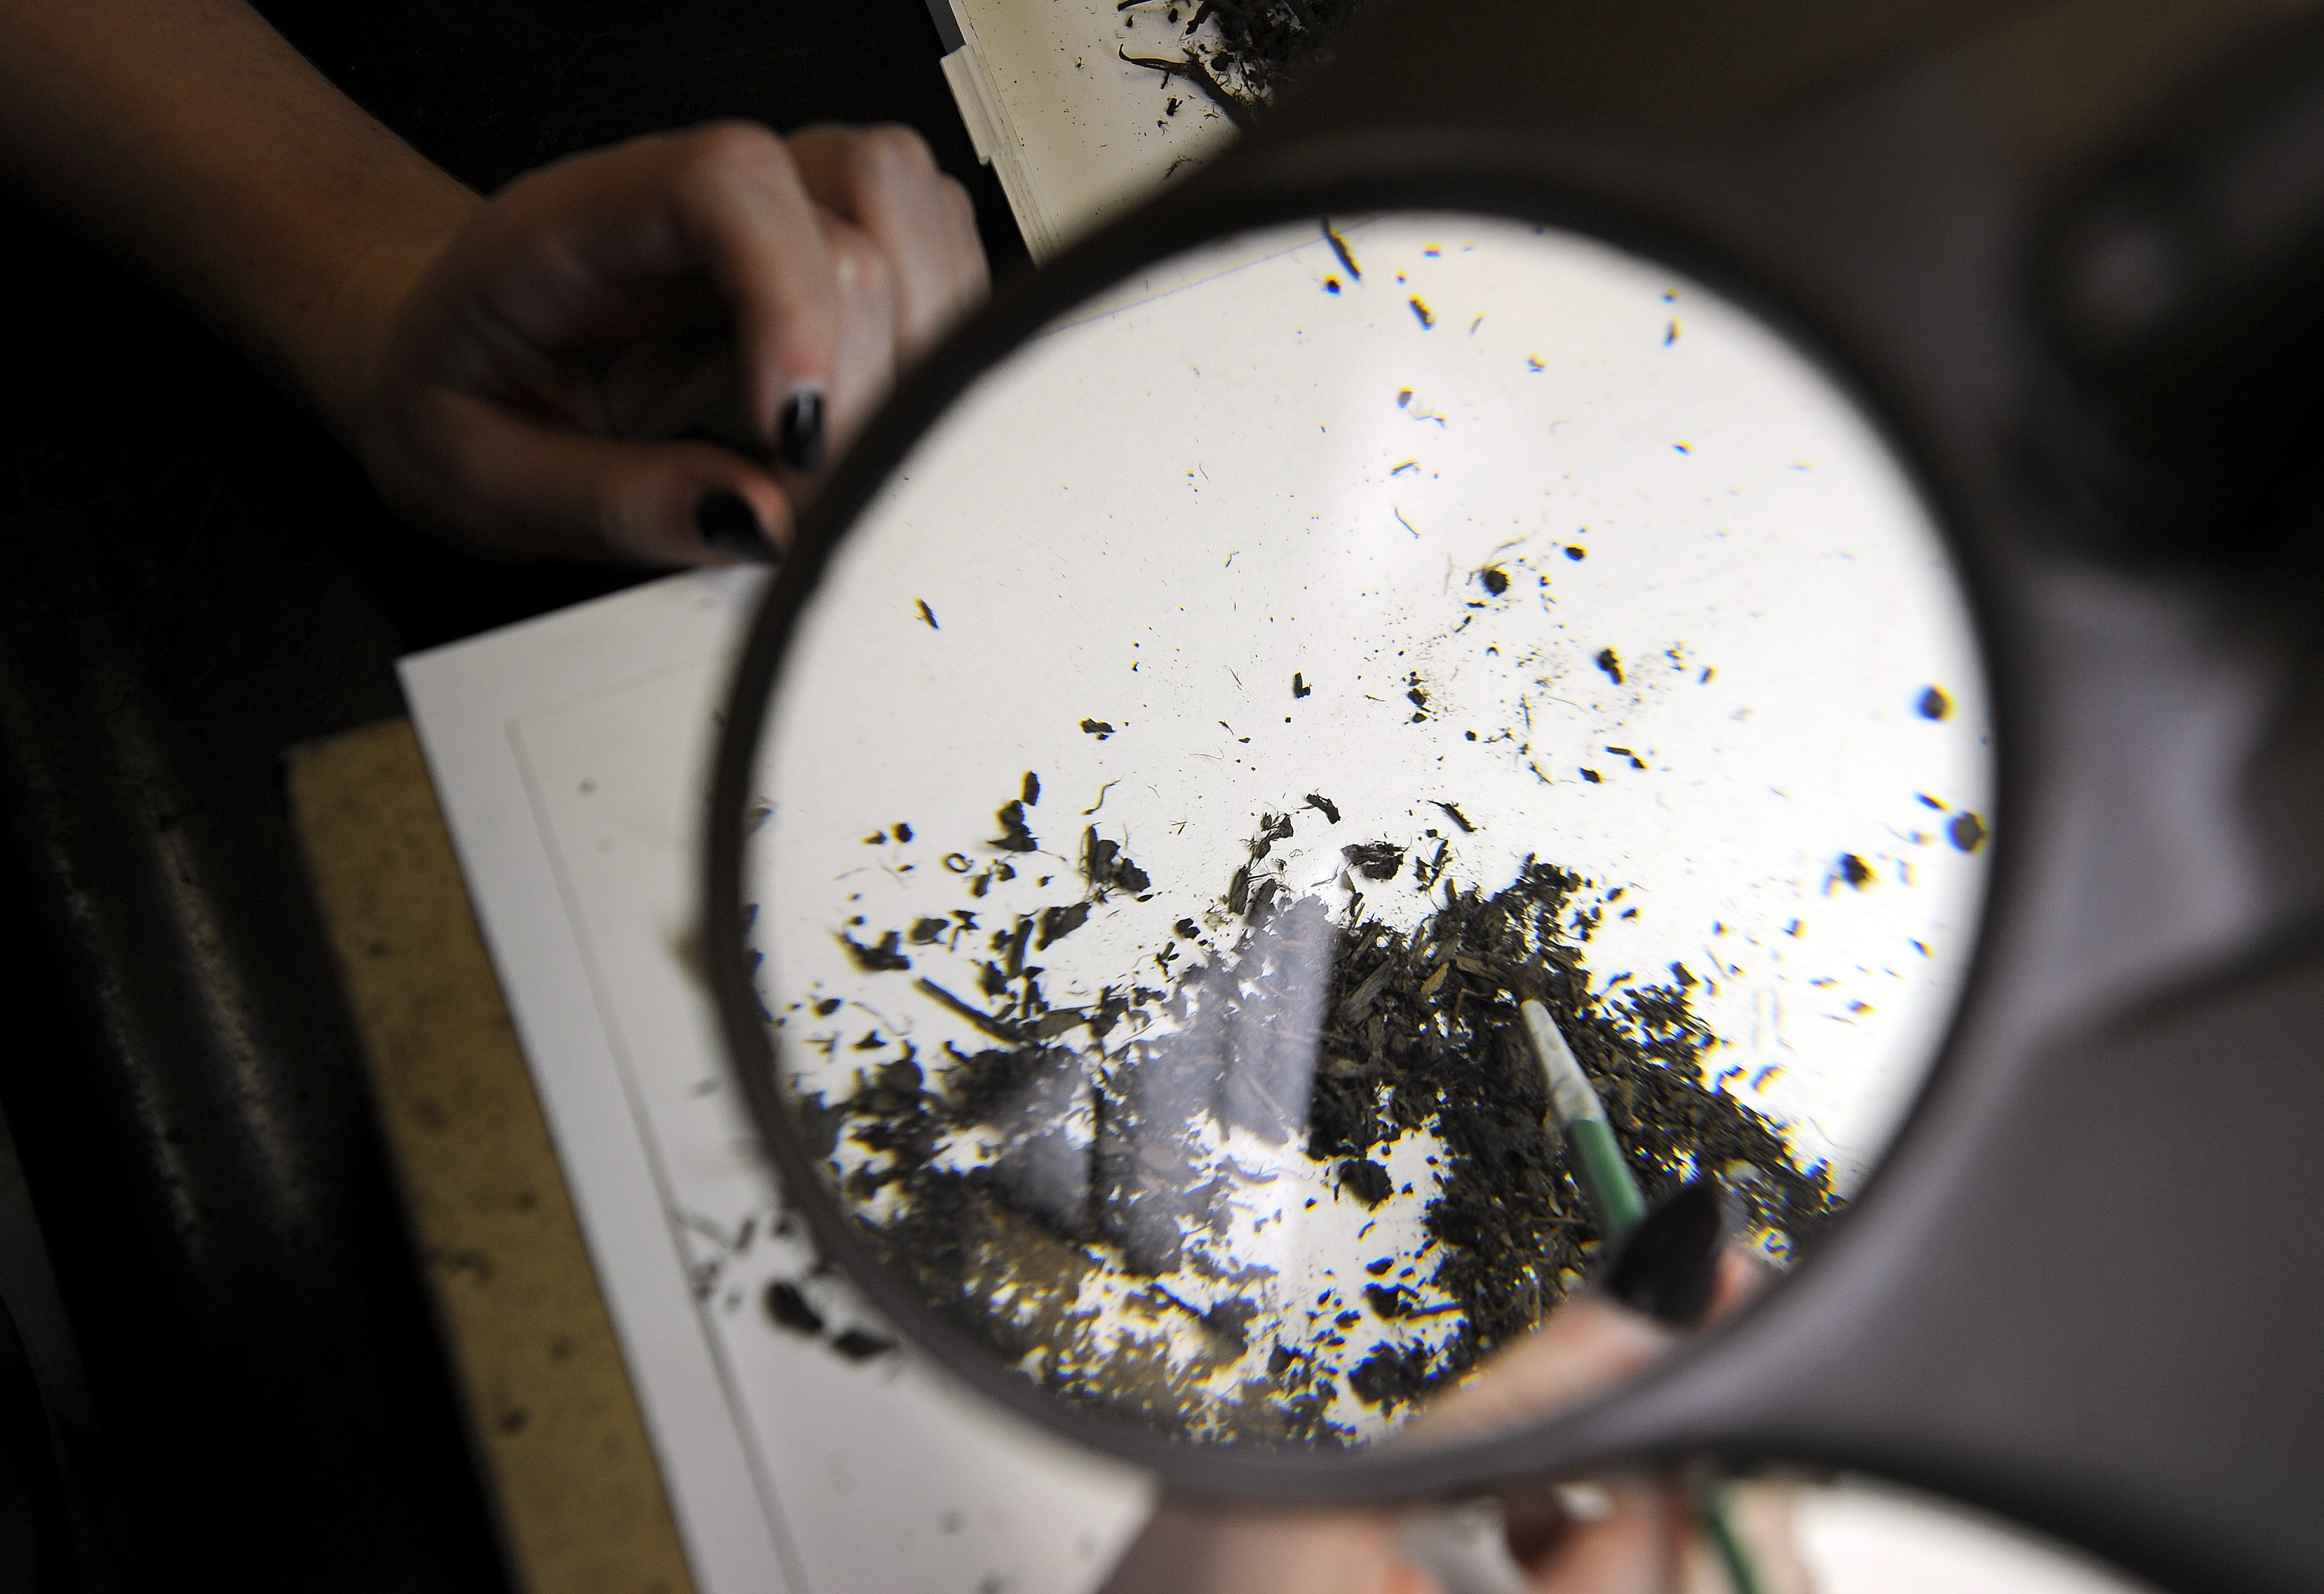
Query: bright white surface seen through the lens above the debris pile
pixel 1161 512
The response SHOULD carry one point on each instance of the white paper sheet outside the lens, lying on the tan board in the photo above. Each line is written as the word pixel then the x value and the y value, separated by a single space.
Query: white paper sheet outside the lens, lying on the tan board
pixel 571 756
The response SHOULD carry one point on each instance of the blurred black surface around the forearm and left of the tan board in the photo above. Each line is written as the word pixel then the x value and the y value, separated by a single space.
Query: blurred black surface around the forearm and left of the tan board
pixel 196 580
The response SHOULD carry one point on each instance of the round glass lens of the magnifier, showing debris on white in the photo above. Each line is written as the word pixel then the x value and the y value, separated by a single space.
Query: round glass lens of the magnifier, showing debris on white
pixel 1251 696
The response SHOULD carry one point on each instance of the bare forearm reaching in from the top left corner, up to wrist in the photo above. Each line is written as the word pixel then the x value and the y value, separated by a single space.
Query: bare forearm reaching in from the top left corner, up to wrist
pixel 199 143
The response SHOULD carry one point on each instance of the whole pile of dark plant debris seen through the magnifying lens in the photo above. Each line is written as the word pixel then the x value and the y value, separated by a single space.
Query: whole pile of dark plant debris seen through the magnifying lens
pixel 1303 1179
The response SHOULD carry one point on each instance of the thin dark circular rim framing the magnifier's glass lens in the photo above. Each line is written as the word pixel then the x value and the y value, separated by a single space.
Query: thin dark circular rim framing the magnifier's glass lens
pixel 1344 180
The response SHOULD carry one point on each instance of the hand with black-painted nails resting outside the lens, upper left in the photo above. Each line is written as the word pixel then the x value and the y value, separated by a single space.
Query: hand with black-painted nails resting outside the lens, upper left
pixel 554 380
